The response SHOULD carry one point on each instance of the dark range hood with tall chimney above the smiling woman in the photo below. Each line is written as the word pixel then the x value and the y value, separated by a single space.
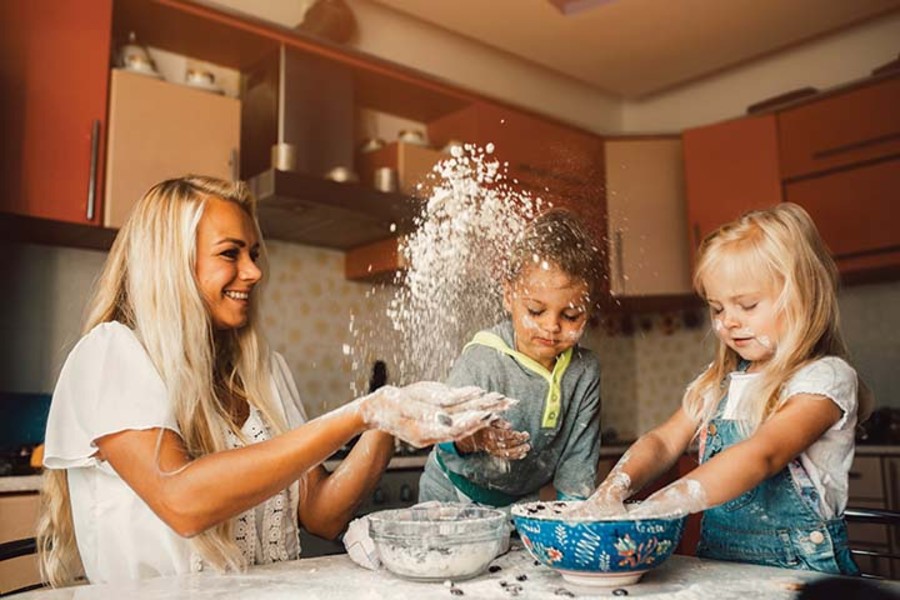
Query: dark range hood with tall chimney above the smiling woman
pixel 308 102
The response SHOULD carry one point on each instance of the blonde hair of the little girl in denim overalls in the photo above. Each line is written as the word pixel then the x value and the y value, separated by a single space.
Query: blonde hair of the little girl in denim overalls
pixel 781 246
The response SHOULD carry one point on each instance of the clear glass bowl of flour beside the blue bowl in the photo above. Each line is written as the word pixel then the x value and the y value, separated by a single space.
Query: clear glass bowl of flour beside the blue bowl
pixel 439 541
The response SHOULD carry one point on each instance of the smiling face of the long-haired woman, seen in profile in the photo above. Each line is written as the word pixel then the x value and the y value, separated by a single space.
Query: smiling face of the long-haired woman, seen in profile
pixel 227 250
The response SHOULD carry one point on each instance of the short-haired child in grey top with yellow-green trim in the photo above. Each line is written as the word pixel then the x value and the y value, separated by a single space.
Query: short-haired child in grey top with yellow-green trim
pixel 553 434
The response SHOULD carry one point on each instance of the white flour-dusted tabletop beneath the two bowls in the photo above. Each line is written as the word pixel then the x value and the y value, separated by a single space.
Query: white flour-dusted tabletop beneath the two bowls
pixel 337 578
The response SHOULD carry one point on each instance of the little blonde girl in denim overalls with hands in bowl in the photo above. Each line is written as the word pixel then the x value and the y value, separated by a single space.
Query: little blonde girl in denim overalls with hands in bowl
pixel 775 412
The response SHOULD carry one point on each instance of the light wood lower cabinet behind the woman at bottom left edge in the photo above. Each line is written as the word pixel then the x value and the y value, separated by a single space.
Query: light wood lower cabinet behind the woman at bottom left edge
pixel 18 520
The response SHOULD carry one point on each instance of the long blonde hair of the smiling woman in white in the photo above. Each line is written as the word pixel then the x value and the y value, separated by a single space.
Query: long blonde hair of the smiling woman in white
pixel 149 284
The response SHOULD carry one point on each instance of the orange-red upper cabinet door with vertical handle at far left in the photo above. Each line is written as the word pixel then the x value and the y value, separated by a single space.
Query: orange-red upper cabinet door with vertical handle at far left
pixel 55 70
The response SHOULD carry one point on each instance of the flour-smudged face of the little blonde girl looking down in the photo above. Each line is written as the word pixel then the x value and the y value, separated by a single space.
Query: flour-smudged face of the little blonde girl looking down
pixel 743 312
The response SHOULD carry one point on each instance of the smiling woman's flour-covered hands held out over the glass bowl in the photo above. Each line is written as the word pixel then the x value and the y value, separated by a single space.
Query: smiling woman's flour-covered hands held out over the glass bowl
pixel 429 412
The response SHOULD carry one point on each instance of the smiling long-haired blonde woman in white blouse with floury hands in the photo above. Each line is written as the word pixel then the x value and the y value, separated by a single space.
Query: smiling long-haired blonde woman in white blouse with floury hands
pixel 176 441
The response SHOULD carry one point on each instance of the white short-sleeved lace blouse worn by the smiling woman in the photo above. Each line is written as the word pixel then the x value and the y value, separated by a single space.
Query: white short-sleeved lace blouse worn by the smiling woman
pixel 108 384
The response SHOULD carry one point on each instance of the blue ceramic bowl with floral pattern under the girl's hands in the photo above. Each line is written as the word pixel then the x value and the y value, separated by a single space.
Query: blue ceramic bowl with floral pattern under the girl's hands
pixel 597 553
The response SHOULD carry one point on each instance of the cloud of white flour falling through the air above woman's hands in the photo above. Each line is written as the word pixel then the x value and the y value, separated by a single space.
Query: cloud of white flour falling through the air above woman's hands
pixel 455 257
